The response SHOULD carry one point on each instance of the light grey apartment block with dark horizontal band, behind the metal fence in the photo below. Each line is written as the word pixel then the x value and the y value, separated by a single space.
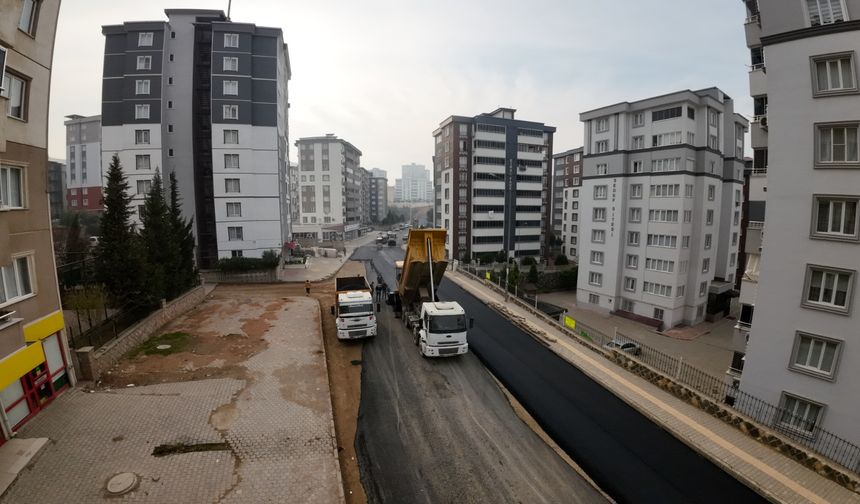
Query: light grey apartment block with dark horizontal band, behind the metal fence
pixel 660 206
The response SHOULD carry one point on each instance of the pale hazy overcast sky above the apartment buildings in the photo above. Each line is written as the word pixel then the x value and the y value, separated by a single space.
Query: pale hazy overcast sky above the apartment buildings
pixel 383 73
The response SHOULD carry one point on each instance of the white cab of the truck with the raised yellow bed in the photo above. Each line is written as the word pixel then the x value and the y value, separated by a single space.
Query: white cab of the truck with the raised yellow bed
pixel 442 330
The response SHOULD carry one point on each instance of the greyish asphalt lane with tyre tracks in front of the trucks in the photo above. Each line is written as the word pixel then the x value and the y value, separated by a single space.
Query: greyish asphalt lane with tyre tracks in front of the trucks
pixel 441 430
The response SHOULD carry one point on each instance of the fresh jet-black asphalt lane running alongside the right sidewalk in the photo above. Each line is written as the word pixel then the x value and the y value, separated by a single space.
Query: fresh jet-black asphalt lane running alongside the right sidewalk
pixel 626 454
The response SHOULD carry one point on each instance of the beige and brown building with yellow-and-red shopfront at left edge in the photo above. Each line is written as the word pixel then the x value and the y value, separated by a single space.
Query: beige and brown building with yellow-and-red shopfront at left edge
pixel 35 364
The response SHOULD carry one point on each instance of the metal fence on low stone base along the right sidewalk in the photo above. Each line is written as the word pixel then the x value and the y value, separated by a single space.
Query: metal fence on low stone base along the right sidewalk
pixel 724 390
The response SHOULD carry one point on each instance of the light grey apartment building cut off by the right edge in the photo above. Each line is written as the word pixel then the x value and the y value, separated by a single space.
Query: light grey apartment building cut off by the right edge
pixel 801 352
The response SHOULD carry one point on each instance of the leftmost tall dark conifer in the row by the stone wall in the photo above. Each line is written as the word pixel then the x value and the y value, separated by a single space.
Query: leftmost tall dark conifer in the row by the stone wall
pixel 118 262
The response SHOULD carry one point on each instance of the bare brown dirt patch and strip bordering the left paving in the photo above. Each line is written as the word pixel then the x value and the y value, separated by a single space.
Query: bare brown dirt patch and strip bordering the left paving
pixel 217 343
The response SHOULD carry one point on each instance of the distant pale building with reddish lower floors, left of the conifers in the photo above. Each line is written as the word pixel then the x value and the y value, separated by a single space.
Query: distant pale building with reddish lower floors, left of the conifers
pixel 84 177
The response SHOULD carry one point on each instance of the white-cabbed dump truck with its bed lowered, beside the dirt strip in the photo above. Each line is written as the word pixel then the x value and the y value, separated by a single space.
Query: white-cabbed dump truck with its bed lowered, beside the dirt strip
pixel 353 308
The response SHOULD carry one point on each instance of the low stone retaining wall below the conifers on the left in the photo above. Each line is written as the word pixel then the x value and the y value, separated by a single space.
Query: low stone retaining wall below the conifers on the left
pixel 94 362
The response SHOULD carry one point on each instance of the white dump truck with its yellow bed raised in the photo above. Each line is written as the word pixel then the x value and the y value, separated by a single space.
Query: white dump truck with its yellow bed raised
pixel 438 328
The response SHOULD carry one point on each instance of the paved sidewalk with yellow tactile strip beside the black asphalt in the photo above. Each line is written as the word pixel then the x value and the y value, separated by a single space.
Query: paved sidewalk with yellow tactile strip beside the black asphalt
pixel 768 472
